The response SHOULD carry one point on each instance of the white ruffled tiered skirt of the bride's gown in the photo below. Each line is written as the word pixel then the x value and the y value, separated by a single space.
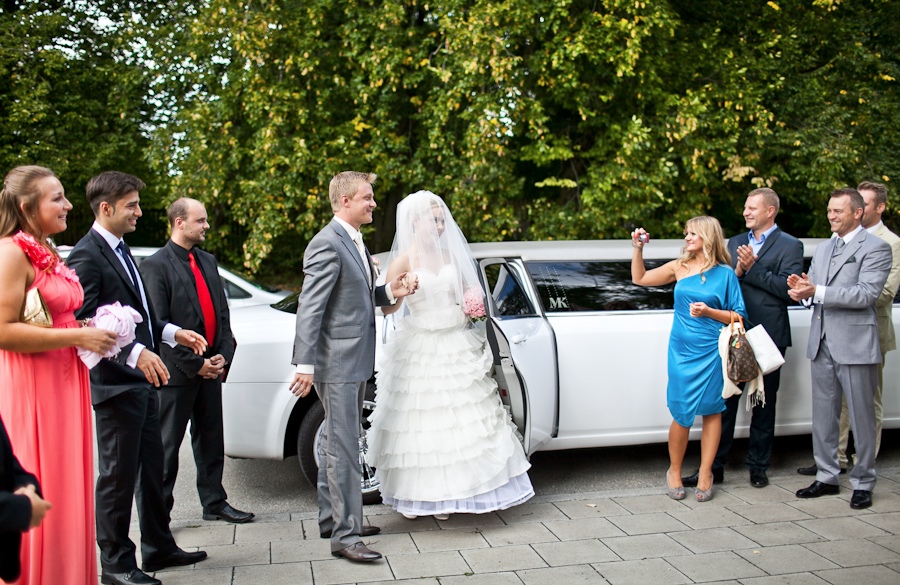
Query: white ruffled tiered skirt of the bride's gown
pixel 440 440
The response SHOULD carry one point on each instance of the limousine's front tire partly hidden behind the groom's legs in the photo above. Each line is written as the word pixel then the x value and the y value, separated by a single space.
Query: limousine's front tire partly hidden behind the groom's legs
pixel 311 429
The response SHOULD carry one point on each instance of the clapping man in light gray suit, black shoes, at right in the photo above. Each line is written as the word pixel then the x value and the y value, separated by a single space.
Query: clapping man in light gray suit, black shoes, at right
pixel 845 279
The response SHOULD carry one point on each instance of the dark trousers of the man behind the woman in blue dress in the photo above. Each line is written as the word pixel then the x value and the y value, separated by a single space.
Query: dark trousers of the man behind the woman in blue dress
pixel 762 426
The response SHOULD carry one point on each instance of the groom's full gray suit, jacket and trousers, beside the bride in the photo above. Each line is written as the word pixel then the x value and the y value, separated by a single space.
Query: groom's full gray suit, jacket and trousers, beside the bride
pixel 336 333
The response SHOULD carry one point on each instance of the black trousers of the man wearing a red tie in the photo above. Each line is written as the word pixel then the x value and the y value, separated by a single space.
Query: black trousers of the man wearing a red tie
pixel 200 403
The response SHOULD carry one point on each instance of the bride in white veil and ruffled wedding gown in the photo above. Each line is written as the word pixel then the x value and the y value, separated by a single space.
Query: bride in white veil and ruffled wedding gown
pixel 440 439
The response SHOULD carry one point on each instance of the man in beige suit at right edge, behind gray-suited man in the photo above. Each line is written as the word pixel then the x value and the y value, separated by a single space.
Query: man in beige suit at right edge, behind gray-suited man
pixel 875 197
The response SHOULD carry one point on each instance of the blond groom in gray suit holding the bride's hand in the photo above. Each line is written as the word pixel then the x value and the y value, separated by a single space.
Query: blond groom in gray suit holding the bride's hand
pixel 335 348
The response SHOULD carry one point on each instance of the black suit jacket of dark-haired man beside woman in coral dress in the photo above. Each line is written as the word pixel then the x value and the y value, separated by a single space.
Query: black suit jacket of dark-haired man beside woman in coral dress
pixel 105 281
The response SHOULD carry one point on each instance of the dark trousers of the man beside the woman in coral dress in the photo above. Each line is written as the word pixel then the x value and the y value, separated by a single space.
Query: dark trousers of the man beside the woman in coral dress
pixel 130 457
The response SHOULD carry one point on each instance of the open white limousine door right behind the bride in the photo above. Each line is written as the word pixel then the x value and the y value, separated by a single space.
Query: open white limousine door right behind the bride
pixel 524 352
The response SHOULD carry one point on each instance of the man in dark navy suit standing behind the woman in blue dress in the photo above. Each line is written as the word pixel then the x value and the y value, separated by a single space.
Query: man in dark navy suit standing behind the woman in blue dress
pixel 762 260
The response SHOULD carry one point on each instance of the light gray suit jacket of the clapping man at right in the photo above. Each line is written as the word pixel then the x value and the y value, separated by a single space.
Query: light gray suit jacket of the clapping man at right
pixel 848 311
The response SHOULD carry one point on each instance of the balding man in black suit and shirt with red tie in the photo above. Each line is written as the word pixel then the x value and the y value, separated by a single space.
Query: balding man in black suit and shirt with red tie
pixel 184 285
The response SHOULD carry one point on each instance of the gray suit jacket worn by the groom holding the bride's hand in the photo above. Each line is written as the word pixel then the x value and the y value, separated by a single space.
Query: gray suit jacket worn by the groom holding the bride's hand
pixel 336 313
